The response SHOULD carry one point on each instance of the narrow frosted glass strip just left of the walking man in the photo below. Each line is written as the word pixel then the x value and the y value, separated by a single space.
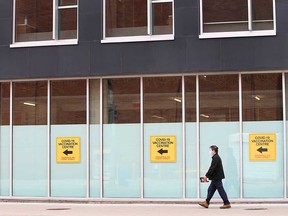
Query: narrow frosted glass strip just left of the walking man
pixel 191 161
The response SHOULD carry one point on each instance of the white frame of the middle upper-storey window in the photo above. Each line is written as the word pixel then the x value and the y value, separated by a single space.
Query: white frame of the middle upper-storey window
pixel 149 36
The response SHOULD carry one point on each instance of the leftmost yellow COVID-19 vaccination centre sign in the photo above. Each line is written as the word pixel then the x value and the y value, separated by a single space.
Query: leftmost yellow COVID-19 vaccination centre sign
pixel 68 149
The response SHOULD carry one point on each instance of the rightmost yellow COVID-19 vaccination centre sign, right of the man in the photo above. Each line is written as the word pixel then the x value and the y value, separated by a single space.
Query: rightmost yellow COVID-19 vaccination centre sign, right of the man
pixel 262 147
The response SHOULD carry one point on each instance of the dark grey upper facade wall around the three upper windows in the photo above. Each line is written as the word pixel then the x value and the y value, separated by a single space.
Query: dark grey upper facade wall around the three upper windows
pixel 187 53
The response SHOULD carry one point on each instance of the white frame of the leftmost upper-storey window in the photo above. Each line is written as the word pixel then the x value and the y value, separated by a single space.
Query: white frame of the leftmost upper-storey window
pixel 55 40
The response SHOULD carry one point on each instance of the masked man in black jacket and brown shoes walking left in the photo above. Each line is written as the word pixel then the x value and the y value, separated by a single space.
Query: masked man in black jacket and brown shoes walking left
pixel 215 174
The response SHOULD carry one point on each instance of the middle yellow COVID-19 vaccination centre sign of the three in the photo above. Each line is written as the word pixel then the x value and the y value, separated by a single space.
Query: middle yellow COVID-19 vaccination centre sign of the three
pixel 163 148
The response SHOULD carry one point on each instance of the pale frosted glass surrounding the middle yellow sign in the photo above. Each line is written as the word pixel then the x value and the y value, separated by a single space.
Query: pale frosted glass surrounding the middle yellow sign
pixel 163 180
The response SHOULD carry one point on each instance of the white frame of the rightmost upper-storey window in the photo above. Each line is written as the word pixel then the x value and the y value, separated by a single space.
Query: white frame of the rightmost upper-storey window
pixel 249 33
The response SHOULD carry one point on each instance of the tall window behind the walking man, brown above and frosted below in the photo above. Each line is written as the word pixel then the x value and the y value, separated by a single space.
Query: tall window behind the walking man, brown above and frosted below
pixel 219 125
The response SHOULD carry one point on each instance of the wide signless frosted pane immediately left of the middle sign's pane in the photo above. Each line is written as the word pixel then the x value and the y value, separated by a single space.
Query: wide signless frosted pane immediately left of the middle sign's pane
pixel 122 160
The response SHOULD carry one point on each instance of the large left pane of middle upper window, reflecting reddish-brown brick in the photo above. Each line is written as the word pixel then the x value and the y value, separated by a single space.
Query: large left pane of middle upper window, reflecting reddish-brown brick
pixel 126 18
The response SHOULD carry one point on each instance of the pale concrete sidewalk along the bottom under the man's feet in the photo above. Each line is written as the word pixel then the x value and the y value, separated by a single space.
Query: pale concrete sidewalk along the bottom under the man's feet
pixel 51 209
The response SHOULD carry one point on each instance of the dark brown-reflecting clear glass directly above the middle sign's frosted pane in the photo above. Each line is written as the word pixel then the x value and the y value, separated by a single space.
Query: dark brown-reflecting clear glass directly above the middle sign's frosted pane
pixel 162 99
